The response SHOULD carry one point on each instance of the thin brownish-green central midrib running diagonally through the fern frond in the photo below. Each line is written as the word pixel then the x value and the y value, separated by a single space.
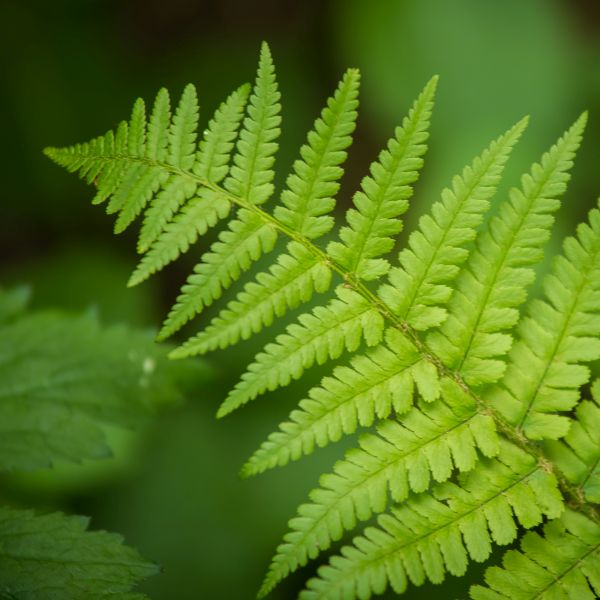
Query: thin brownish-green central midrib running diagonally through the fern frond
pixel 513 434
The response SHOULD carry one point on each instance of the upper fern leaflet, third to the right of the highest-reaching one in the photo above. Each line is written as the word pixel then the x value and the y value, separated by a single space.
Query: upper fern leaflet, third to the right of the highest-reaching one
pixel 418 288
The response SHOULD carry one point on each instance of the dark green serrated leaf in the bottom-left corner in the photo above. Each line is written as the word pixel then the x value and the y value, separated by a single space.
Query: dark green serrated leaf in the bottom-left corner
pixel 54 556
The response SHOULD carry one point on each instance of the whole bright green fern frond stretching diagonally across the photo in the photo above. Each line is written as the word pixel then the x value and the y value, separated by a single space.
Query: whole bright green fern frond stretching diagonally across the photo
pixel 470 391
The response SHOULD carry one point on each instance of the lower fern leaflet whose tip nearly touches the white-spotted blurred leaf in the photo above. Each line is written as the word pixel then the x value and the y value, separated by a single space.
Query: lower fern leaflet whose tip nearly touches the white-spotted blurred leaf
pixel 288 283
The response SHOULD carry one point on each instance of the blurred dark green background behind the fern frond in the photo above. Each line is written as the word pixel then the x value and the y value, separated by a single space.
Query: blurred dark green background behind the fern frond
pixel 71 69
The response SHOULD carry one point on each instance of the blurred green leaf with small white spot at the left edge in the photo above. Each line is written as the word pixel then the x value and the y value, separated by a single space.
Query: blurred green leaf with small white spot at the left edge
pixel 63 377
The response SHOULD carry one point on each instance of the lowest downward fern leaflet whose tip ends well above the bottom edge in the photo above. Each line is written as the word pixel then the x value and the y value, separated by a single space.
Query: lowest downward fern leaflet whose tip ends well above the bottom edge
pixel 374 385
